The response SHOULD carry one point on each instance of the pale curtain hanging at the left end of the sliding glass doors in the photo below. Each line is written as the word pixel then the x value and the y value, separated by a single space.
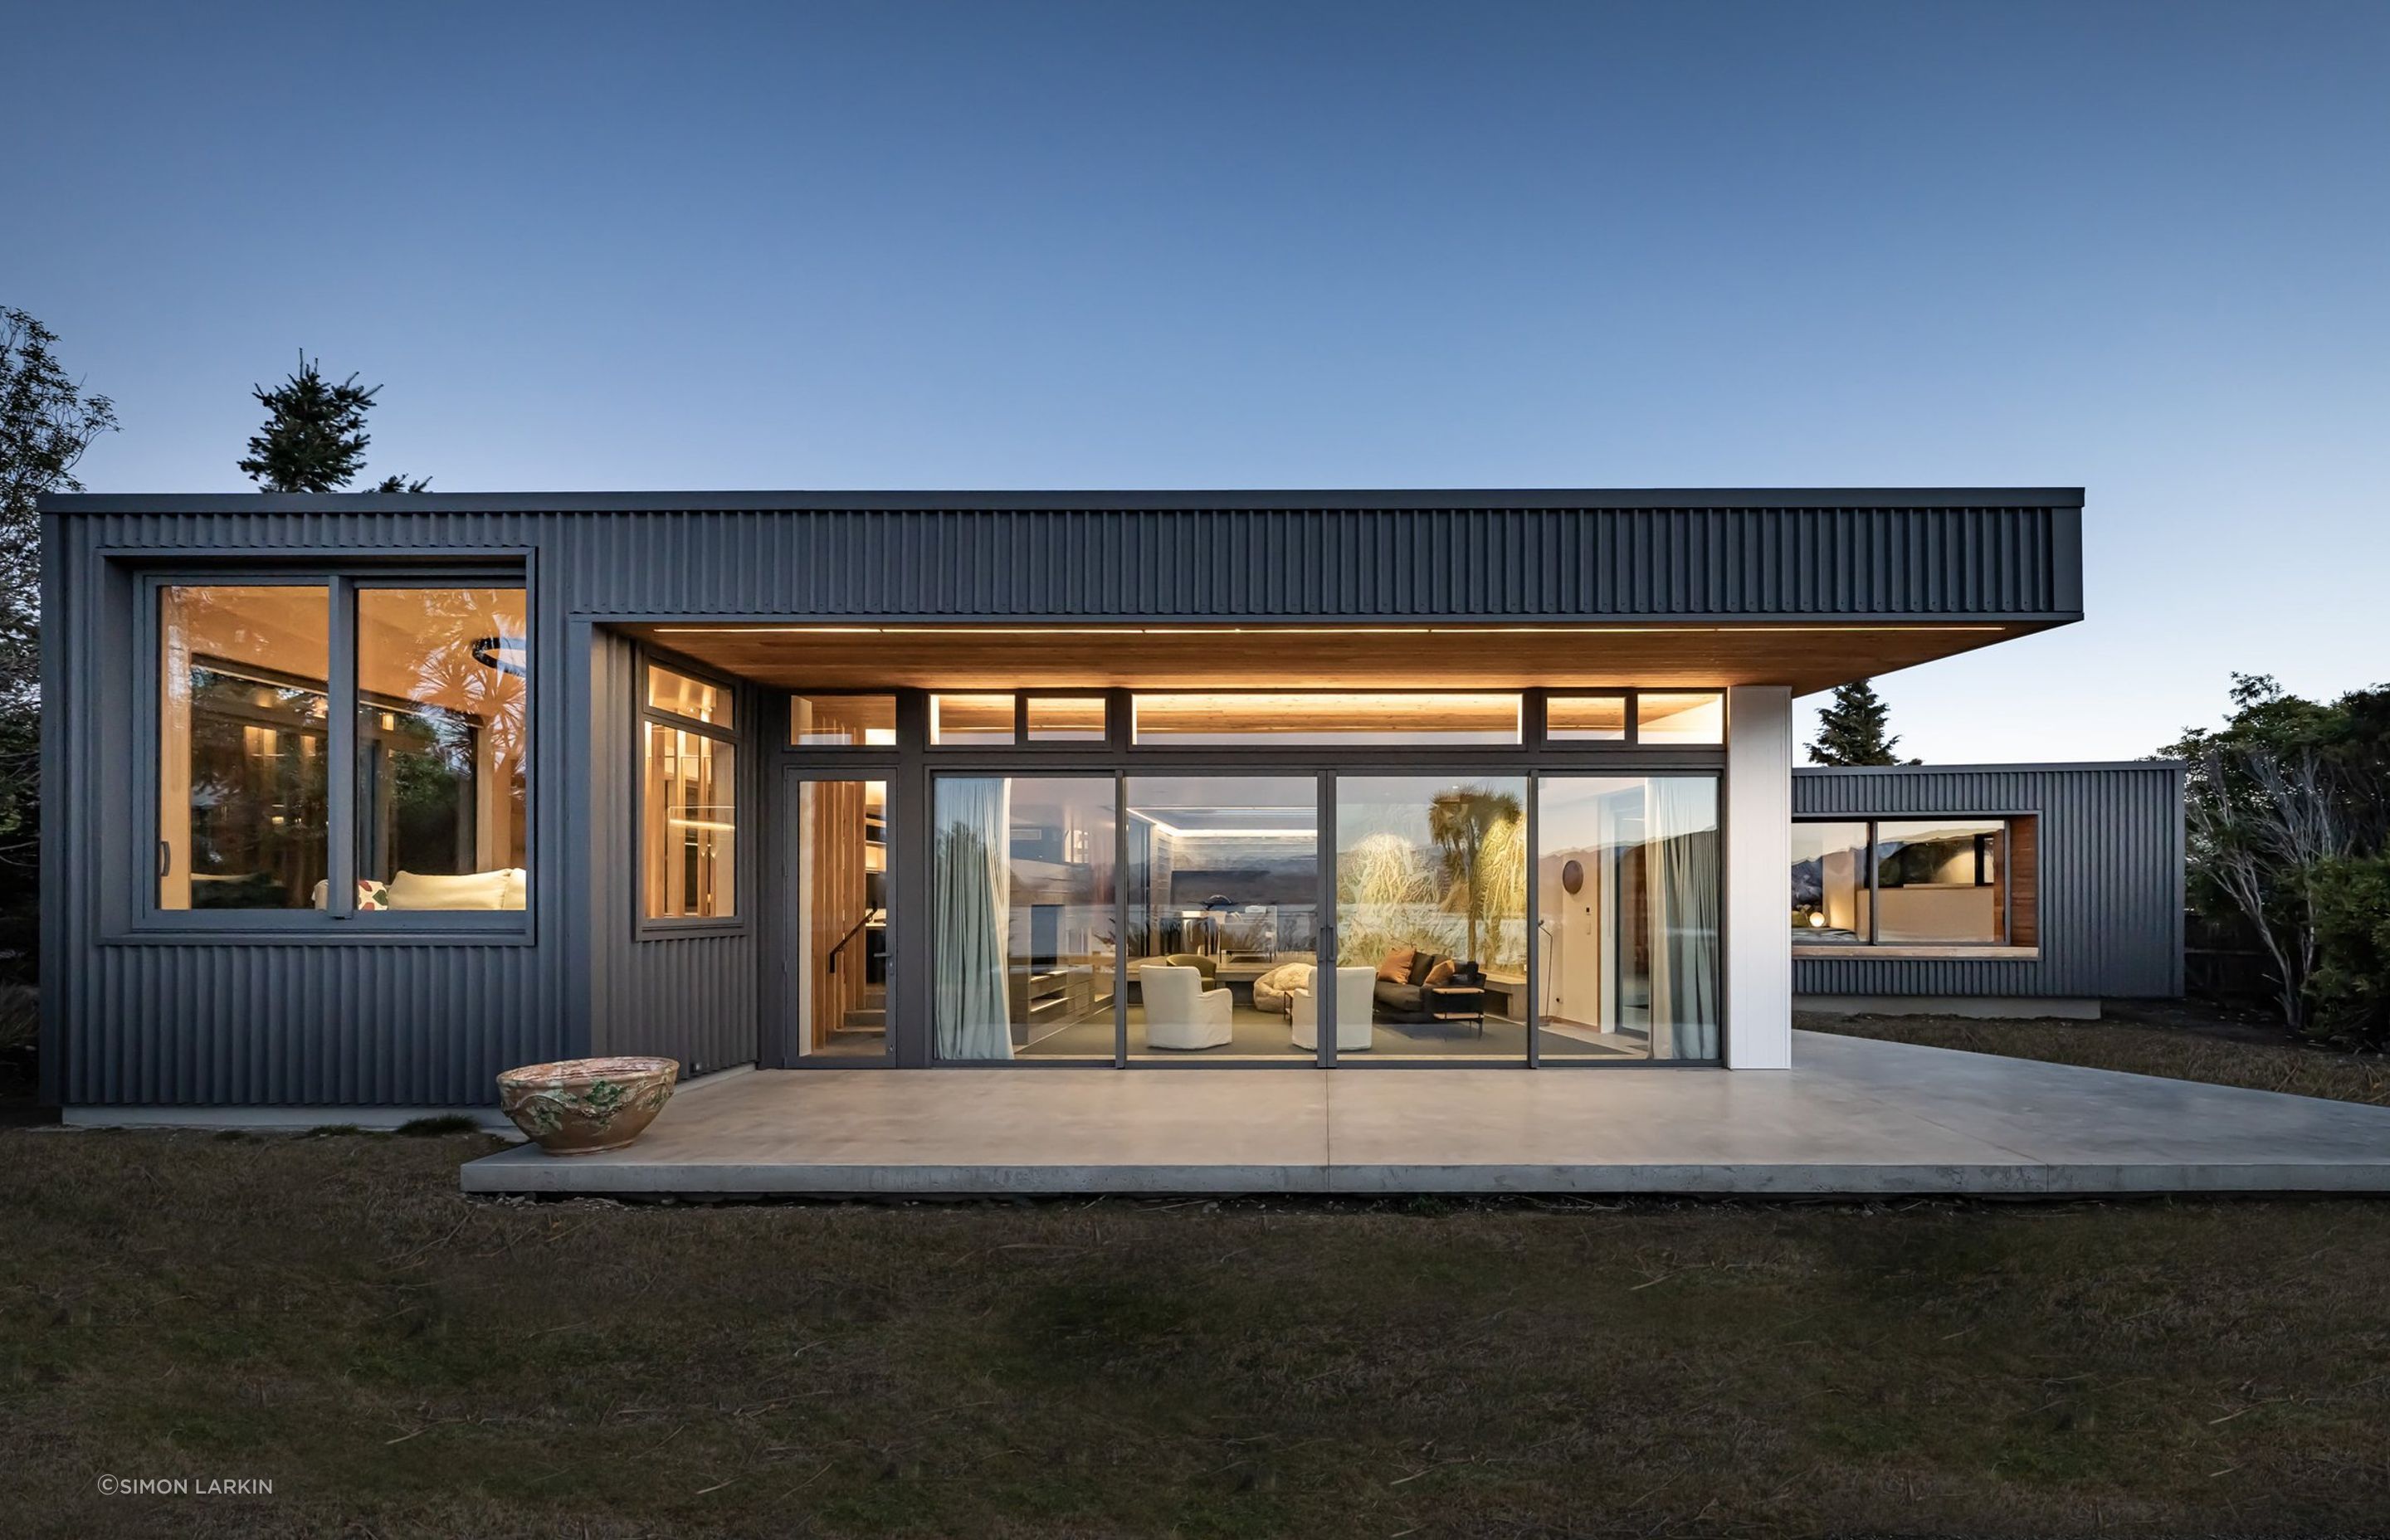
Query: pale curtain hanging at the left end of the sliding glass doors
pixel 972 919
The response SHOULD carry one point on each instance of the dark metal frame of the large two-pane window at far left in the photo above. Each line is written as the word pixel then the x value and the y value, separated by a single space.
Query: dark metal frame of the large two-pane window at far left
pixel 336 919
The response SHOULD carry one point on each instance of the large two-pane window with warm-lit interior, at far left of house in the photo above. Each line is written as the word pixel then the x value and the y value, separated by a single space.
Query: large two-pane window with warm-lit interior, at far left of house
pixel 429 685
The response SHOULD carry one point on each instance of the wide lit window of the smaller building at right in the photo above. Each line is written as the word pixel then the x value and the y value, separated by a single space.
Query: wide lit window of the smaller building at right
pixel 1916 884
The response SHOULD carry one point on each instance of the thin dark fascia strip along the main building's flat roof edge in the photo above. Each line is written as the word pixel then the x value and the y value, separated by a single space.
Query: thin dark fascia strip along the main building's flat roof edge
pixel 1091 501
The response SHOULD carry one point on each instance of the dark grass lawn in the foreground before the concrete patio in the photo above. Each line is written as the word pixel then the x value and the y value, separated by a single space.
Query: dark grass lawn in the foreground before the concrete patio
pixel 331 1316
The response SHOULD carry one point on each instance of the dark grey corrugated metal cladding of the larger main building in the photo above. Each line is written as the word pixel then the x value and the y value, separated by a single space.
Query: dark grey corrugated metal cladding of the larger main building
pixel 137 1015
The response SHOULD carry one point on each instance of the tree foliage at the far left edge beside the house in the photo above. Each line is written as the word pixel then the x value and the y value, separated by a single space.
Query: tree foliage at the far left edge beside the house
pixel 47 424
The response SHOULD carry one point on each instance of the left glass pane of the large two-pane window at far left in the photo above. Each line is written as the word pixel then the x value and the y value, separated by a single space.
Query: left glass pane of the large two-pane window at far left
pixel 243 786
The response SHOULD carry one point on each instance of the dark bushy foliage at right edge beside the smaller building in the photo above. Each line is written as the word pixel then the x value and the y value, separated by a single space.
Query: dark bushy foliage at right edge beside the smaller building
pixel 2288 817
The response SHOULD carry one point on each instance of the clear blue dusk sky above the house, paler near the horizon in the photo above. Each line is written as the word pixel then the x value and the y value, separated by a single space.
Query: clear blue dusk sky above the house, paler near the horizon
pixel 2131 247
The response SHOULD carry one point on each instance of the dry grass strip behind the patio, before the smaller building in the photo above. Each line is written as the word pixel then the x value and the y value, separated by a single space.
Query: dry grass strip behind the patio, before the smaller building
pixel 2181 1051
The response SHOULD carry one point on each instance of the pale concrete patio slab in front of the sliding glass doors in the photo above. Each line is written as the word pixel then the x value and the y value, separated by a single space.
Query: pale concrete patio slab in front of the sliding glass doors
pixel 1851 1118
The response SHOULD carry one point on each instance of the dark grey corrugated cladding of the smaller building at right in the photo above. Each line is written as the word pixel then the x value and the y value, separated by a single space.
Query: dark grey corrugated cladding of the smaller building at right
pixel 2109 874
